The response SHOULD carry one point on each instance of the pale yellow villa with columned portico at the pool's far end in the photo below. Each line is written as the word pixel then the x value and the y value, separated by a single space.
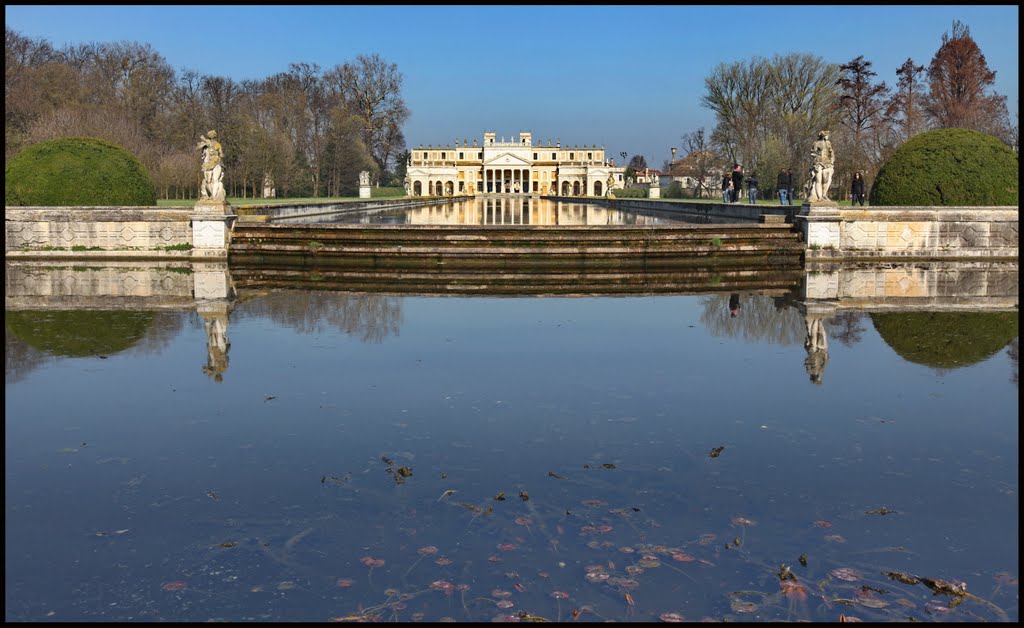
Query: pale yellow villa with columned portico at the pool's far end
pixel 515 168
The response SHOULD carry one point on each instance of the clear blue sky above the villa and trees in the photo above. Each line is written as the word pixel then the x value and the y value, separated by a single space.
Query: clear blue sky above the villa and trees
pixel 629 78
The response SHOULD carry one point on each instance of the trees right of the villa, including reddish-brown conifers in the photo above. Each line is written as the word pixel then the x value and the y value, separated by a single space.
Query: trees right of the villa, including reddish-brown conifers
pixel 770 111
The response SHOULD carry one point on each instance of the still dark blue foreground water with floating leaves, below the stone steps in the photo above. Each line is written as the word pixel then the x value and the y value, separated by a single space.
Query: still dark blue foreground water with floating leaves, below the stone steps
pixel 411 458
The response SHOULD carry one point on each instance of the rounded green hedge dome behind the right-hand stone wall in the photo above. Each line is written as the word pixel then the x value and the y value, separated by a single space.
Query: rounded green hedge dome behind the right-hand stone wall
pixel 949 168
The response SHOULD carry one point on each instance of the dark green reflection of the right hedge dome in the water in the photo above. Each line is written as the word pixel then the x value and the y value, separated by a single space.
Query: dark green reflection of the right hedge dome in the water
pixel 947 341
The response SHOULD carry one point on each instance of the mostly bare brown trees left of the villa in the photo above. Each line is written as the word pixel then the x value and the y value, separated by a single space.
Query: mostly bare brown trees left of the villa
pixel 307 133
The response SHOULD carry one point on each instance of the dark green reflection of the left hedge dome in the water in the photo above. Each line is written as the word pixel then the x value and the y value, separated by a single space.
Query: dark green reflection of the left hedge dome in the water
pixel 79 333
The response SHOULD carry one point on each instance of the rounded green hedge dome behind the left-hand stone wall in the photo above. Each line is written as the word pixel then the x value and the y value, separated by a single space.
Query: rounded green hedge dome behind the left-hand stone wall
pixel 77 172
